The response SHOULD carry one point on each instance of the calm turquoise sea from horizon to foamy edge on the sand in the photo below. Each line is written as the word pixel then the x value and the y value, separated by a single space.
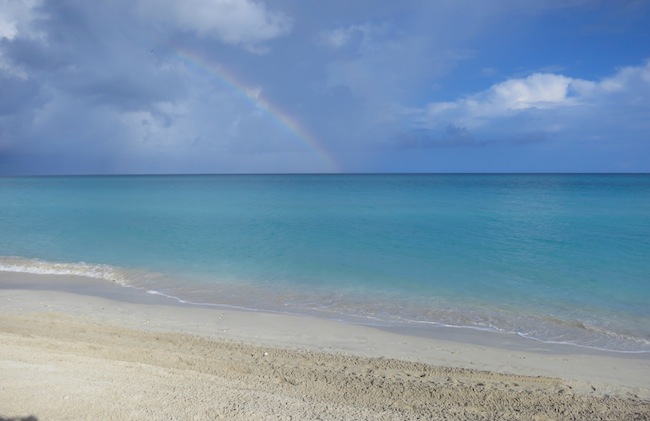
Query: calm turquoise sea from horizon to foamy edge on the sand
pixel 557 258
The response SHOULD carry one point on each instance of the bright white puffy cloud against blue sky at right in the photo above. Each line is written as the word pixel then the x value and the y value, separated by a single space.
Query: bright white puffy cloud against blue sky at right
pixel 544 103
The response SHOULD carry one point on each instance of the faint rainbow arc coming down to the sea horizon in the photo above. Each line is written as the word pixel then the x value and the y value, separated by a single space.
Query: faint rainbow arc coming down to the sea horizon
pixel 281 117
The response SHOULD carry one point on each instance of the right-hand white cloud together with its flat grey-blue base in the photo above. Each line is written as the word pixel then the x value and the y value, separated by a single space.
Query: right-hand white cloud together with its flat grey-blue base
pixel 539 108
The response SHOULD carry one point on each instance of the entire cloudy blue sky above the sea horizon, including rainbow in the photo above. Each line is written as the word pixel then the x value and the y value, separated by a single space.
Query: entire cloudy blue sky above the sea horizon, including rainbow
pixel 341 86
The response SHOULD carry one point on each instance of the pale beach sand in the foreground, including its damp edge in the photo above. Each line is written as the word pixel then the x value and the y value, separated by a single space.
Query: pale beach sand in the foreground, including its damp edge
pixel 72 348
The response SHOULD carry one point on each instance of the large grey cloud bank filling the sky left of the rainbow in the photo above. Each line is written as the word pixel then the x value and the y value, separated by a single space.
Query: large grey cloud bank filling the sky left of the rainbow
pixel 86 92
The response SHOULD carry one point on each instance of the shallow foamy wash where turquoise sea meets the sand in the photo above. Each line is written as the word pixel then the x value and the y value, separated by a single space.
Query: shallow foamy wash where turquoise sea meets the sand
pixel 402 314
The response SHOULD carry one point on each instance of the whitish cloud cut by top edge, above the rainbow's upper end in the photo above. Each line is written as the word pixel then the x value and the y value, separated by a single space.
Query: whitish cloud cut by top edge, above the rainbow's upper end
pixel 236 22
